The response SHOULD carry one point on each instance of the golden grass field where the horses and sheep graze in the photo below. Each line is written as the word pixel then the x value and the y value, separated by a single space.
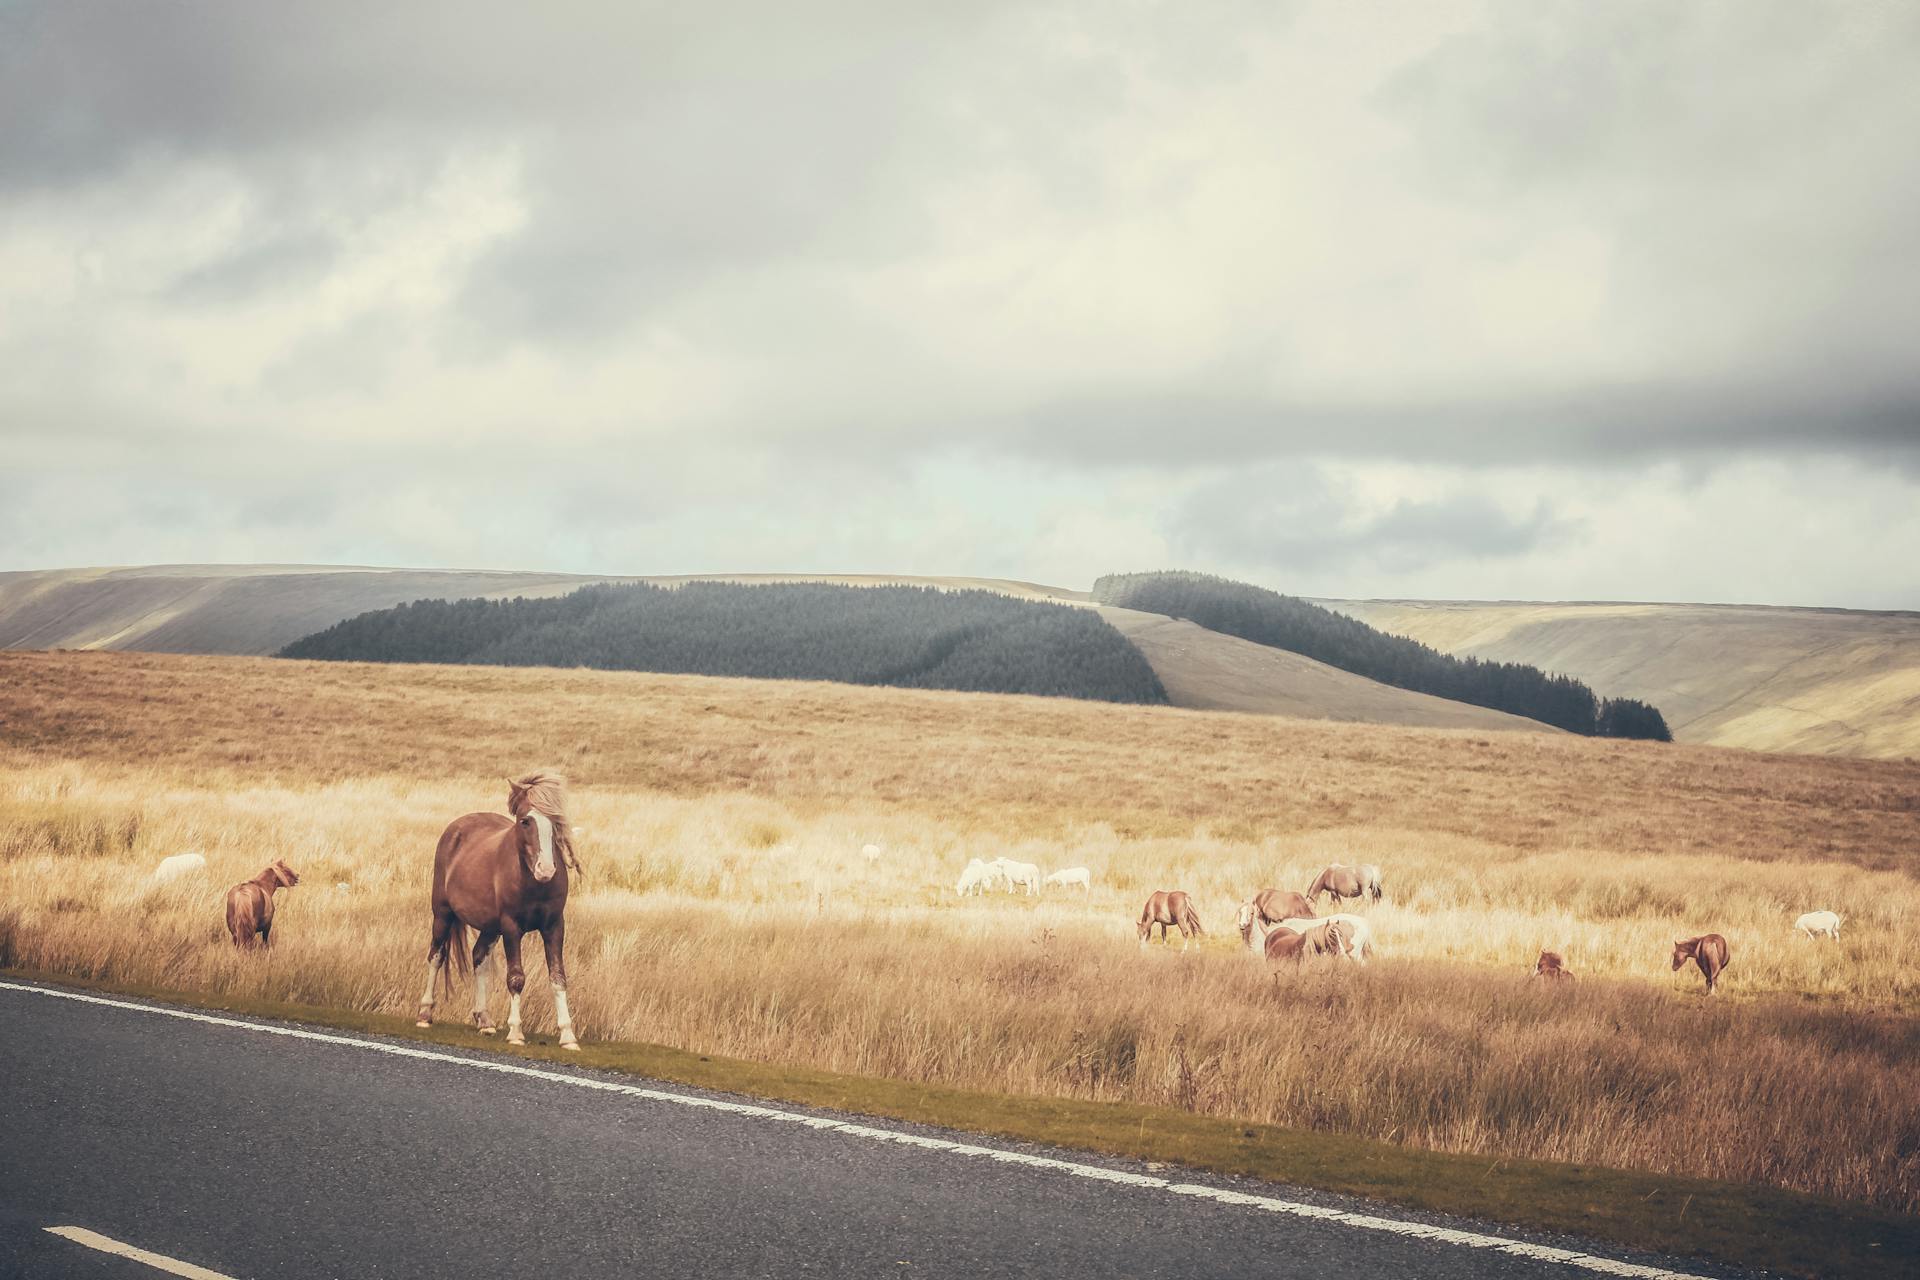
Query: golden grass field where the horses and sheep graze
pixel 727 907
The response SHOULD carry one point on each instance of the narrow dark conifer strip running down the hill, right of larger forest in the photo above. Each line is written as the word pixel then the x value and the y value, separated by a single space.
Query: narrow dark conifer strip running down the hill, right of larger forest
pixel 1287 623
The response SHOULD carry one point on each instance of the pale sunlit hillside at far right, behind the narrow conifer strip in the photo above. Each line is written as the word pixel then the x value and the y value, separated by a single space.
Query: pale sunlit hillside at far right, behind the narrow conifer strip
pixel 1806 680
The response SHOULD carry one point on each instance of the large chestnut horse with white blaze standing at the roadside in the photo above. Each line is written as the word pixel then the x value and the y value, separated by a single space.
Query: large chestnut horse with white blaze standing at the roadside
pixel 504 878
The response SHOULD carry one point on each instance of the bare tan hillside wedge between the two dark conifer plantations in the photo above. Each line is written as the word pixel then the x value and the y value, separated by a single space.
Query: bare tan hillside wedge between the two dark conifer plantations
pixel 1207 671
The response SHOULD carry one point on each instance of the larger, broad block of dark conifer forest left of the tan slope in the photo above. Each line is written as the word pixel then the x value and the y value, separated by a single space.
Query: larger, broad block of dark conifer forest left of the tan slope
pixel 917 638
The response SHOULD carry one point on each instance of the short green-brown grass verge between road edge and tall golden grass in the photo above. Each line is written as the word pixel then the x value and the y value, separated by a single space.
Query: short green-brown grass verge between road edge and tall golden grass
pixel 1685 1218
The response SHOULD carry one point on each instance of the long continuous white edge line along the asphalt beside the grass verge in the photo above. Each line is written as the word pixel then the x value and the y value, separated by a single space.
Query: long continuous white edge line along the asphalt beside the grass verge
pixel 1399 1227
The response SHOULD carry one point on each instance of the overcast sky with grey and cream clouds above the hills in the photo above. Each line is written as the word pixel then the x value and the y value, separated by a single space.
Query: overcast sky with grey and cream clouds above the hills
pixel 1535 300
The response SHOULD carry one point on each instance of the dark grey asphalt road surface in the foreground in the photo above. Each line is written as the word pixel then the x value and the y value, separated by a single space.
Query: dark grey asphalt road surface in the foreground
pixel 272 1156
